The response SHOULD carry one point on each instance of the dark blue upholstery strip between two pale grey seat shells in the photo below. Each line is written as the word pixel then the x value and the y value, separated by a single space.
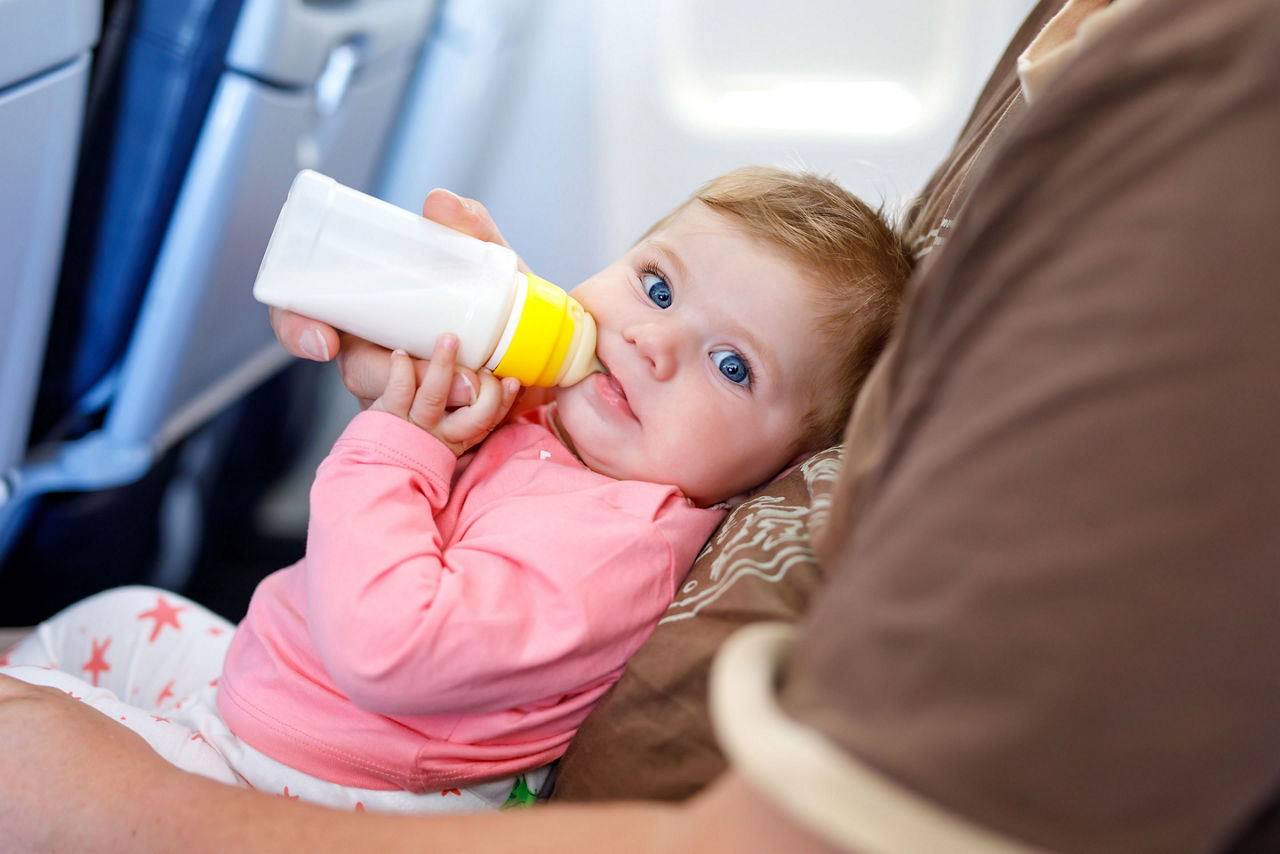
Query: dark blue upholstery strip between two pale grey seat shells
pixel 149 102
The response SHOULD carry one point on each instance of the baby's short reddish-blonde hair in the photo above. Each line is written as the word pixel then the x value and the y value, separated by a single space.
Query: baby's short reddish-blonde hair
pixel 853 255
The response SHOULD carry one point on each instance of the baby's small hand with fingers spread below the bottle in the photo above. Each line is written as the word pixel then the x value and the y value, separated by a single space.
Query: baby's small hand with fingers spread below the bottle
pixel 427 405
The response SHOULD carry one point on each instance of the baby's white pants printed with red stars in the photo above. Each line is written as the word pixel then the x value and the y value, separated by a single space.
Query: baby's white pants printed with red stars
pixel 152 659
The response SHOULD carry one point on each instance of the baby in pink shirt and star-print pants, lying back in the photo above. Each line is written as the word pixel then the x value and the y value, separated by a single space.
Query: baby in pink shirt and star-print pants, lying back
pixel 473 583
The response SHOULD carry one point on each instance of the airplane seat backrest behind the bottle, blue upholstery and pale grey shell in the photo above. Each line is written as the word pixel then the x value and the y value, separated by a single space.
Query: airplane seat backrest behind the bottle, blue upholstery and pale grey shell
pixel 292 85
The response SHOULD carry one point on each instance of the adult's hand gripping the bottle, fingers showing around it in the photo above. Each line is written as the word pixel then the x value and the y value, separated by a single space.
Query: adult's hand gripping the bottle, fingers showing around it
pixel 364 366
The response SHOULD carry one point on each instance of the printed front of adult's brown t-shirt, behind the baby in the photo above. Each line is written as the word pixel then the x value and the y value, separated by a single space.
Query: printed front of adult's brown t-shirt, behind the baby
pixel 651 736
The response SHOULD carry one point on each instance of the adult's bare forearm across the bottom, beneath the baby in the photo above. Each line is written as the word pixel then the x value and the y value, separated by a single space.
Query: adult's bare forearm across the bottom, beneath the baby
pixel 56 801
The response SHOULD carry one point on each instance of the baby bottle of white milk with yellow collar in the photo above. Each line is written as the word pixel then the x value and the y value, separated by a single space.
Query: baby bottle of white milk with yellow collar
pixel 380 272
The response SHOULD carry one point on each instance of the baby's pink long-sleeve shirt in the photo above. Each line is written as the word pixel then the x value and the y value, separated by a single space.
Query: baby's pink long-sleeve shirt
pixel 454 620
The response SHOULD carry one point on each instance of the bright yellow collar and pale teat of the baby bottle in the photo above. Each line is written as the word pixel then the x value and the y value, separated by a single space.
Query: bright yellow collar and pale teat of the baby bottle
pixel 543 335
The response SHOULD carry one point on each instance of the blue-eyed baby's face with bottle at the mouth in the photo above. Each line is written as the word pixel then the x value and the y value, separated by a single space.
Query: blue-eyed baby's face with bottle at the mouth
pixel 707 336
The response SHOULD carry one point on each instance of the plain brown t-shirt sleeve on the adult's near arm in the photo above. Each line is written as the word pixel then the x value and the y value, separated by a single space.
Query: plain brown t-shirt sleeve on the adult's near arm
pixel 1053 604
